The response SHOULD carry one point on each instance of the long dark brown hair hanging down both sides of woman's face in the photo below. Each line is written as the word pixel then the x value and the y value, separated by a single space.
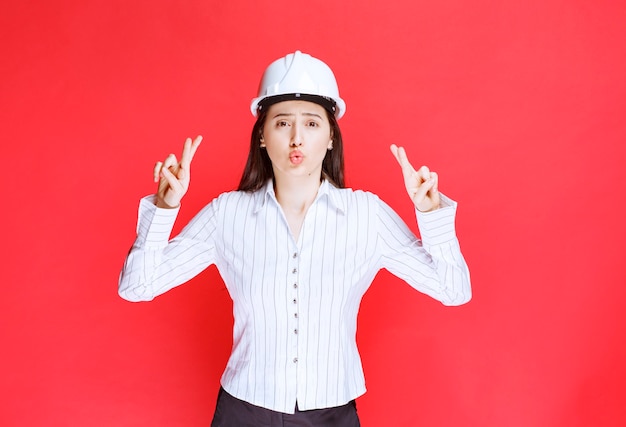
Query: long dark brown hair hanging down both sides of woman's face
pixel 259 170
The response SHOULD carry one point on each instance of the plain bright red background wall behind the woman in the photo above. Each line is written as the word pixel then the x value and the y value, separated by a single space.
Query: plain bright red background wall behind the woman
pixel 518 105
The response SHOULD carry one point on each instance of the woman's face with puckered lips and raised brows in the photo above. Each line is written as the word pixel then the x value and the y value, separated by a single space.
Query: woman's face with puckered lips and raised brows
pixel 297 136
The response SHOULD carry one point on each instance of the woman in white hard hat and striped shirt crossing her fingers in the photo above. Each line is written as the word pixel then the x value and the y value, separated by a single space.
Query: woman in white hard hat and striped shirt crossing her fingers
pixel 297 251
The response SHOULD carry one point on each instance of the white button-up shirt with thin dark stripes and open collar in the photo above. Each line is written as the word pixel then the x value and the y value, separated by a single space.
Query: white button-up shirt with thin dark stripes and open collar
pixel 296 302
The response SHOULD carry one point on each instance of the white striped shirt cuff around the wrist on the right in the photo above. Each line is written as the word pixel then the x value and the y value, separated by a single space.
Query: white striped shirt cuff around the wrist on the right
pixel 437 226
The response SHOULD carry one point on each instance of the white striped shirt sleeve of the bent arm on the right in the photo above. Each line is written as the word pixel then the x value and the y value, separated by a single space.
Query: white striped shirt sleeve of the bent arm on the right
pixel 433 265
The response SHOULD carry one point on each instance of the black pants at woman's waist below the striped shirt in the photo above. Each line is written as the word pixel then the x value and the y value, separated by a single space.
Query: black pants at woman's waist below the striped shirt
pixel 233 412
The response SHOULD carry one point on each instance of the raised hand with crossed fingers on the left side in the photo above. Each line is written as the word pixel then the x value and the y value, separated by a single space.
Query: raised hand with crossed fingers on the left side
pixel 173 176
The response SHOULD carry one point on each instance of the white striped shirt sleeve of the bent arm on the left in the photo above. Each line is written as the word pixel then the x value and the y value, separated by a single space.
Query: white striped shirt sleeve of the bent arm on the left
pixel 155 264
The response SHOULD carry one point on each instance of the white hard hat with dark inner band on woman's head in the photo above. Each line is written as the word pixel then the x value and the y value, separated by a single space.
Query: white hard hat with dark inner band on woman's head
pixel 299 76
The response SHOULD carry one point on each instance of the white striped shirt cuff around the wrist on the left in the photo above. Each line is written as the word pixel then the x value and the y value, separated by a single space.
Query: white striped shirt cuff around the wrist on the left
pixel 154 225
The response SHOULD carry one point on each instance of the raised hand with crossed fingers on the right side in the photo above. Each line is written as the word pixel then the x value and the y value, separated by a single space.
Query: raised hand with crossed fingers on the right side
pixel 421 184
